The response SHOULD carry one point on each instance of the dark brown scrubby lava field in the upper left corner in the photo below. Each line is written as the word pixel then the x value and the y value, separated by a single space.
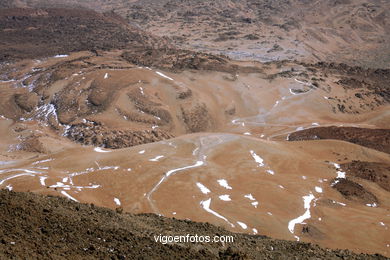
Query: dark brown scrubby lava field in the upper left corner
pixel 36 33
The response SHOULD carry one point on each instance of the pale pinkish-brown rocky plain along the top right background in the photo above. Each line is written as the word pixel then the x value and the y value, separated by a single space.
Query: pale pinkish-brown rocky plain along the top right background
pixel 356 32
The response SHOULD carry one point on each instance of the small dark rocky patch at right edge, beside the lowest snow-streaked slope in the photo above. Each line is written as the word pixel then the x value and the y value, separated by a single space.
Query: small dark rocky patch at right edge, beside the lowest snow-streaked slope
pixel 378 173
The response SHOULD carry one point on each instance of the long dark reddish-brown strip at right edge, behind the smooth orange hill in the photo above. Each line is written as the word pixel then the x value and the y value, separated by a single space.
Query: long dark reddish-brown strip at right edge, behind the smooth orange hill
pixel 378 139
